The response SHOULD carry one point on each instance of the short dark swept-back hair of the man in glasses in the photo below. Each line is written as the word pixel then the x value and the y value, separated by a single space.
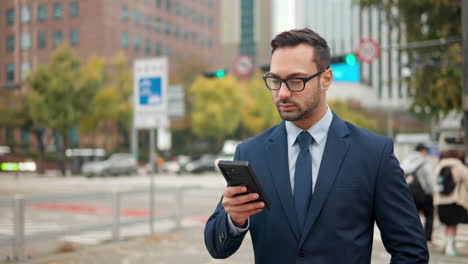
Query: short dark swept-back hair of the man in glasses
pixel 295 37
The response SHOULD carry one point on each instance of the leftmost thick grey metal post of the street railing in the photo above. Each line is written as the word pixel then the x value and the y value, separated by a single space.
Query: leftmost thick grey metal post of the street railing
pixel 18 223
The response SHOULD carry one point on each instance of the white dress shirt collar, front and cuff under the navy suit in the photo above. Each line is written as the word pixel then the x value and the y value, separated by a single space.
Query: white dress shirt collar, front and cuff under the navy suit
pixel 319 131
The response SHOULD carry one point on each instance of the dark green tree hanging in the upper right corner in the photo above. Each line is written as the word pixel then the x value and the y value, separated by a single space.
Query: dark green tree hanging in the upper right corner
pixel 435 84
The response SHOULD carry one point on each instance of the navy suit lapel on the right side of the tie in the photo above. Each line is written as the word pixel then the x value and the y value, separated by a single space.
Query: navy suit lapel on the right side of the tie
pixel 335 150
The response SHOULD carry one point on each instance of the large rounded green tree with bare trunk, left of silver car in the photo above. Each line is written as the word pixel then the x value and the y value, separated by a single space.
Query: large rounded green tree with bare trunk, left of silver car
pixel 58 99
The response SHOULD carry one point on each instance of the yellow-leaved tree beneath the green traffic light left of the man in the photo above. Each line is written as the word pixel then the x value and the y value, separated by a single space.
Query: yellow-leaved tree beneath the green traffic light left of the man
pixel 216 108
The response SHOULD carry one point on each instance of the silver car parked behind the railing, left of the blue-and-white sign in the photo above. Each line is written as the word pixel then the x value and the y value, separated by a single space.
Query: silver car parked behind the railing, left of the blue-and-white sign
pixel 117 164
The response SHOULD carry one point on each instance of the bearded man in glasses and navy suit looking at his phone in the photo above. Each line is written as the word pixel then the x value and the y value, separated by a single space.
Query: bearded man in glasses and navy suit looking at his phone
pixel 327 180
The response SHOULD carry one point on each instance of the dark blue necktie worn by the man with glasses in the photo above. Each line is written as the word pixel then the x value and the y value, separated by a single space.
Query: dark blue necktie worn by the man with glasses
pixel 303 177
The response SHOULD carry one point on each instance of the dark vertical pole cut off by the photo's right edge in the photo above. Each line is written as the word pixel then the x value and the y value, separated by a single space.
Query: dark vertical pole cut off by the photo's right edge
pixel 465 73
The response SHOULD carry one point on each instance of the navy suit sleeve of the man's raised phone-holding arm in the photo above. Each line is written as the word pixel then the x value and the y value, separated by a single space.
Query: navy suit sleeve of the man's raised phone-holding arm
pixel 219 241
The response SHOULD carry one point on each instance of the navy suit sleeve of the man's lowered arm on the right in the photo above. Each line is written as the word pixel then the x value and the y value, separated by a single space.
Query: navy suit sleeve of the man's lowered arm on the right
pixel 395 213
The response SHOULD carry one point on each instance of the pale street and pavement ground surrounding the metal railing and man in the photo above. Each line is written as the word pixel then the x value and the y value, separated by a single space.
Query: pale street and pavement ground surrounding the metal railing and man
pixel 167 245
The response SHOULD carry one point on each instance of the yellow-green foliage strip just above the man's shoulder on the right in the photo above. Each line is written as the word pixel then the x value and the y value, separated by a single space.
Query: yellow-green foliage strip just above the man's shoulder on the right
pixel 354 116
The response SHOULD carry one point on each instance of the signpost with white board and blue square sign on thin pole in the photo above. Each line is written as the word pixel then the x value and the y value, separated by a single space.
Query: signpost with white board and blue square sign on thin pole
pixel 150 80
